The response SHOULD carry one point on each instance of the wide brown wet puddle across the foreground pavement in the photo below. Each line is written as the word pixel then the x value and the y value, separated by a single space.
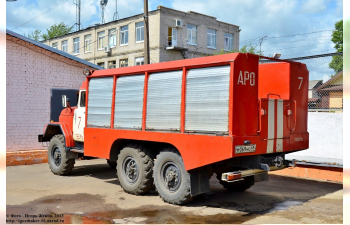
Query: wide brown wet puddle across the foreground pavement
pixel 92 209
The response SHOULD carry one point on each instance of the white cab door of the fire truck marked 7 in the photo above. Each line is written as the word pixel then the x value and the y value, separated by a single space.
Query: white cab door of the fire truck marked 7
pixel 79 118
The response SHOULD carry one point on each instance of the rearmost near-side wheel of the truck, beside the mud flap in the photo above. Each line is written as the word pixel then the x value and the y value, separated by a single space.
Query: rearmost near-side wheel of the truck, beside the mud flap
pixel 171 179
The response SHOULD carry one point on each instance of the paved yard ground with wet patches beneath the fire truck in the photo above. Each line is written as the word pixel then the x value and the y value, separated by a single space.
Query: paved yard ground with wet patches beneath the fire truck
pixel 92 195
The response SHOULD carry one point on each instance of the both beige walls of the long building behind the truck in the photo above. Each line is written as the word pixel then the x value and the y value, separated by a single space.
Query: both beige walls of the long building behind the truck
pixel 159 21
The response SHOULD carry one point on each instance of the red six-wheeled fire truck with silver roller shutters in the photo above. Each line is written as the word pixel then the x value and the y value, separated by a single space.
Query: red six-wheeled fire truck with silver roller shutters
pixel 169 126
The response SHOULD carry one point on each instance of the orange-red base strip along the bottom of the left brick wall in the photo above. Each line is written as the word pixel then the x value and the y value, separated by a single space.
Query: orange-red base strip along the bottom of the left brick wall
pixel 26 157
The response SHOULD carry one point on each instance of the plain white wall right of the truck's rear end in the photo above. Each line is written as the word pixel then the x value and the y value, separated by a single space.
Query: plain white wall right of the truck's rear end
pixel 326 139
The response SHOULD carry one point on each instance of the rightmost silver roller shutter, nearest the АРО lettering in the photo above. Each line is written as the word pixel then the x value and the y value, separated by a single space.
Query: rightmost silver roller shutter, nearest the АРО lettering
pixel 207 99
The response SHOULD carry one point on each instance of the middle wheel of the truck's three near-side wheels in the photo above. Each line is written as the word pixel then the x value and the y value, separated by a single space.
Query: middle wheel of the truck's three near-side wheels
pixel 134 169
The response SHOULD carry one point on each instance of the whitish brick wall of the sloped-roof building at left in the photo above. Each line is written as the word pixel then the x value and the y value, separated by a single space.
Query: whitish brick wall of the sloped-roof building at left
pixel 31 72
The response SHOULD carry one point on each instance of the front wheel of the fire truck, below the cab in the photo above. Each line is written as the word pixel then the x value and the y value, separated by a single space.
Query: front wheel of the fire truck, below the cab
pixel 57 157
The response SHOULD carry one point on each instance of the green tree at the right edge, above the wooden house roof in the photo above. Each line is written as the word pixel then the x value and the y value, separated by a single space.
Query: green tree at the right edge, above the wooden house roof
pixel 337 37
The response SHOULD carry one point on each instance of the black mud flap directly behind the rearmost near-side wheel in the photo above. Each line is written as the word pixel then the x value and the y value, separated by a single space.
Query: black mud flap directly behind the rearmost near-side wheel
pixel 199 182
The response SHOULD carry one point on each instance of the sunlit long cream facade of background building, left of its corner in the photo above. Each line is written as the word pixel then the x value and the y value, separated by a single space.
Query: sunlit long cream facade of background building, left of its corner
pixel 129 51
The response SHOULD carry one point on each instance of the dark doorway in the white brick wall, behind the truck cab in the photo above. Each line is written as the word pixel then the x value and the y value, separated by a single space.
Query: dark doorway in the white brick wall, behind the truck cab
pixel 56 101
